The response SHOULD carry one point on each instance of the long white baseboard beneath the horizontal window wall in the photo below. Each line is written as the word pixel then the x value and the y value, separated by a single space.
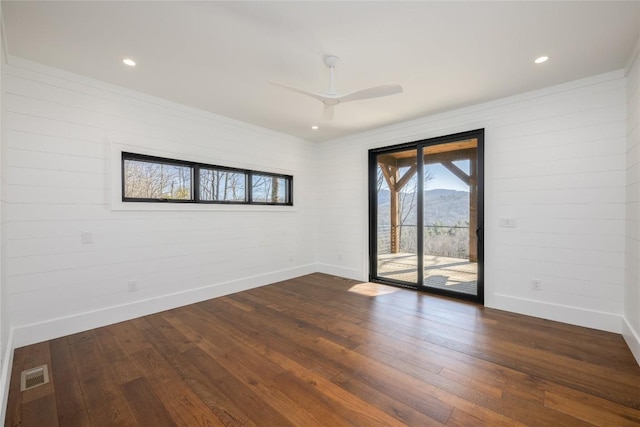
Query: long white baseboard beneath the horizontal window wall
pixel 62 326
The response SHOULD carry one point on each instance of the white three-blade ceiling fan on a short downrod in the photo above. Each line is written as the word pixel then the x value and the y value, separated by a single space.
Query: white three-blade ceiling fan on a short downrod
pixel 332 98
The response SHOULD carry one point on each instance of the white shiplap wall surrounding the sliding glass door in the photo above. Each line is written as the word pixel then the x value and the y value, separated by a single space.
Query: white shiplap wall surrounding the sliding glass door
pixel 555 160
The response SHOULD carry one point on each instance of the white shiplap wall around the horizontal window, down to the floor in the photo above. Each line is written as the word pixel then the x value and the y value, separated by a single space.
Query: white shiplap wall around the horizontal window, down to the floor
pixel 61 133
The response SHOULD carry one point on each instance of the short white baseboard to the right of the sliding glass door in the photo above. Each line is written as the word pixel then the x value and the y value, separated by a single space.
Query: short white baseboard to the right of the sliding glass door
pixel 609 322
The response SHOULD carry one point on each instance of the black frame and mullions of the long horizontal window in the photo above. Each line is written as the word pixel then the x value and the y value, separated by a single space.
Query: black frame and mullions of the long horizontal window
pixel 195 182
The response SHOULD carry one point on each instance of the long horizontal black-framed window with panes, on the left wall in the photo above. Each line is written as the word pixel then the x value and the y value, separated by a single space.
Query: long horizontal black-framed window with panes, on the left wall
pixel 158 179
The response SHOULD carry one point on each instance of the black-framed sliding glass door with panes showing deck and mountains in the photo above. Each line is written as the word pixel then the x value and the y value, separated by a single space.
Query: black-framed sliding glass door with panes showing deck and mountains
pixel 426 219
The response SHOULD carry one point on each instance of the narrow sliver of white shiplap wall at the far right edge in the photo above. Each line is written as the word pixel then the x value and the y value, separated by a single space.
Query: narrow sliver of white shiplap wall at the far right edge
pixel 631 327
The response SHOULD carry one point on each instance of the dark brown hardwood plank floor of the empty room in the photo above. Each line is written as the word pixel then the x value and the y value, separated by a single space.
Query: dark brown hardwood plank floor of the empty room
pixel 323 351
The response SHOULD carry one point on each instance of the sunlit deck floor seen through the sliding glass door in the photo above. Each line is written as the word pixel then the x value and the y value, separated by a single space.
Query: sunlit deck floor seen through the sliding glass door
pixel 453 274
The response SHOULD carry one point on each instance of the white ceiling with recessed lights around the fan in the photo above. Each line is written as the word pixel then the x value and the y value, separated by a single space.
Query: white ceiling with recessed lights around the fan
pixel 218 56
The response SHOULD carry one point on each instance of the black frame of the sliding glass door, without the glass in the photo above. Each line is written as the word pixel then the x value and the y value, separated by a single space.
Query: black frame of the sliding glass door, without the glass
pixel 419 145
